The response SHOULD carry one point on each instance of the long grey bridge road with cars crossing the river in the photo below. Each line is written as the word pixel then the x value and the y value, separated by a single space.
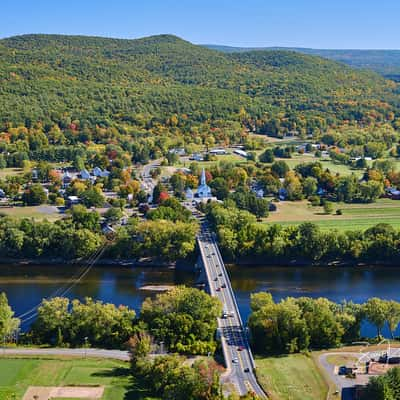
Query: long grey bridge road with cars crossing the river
pixel 237 352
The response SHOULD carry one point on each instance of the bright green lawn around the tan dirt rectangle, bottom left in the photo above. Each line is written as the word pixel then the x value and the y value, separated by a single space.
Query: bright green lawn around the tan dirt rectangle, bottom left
pixel 17 374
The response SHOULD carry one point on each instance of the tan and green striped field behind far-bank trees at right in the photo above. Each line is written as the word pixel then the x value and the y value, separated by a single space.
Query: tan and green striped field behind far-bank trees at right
pixel 354 216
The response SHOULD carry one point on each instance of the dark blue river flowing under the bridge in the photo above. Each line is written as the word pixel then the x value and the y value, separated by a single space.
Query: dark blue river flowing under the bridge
pixel 26 285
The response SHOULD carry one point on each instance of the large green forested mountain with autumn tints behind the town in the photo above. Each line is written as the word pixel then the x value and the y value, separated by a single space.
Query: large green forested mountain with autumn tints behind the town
pixel 166 81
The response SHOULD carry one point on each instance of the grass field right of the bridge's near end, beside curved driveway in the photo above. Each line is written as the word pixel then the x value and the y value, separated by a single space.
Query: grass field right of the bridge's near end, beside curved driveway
pixel 292 377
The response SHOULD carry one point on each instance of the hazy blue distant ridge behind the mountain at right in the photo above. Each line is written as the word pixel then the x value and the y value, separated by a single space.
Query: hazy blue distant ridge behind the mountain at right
pixel 385 62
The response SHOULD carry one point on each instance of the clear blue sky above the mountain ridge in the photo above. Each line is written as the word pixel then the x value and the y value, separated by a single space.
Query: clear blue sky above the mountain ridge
pixel 364 24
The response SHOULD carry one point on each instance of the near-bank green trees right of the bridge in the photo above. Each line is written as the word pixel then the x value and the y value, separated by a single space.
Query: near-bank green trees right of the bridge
pixel 297 324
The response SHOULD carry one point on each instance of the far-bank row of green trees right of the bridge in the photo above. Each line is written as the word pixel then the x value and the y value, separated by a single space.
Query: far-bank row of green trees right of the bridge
pixel 240 237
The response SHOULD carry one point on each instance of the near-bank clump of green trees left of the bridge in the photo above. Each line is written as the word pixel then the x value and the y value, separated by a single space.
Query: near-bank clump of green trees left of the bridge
pixel 184 319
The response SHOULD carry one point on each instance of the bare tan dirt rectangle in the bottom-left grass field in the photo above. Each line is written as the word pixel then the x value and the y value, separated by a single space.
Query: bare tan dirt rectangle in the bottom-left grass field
pixel 50 392
